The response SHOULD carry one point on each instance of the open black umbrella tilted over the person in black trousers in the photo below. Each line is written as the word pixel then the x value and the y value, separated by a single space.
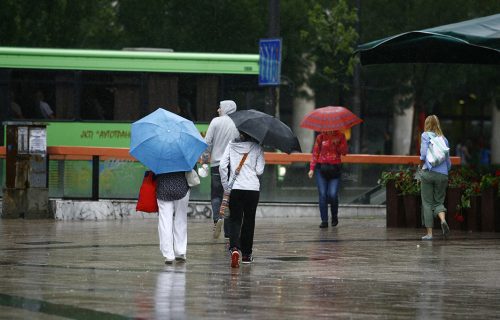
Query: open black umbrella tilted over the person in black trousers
pixel 266 129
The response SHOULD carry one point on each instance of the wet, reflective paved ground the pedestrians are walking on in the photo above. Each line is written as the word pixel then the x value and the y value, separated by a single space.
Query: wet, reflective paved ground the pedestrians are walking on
pixel 357 270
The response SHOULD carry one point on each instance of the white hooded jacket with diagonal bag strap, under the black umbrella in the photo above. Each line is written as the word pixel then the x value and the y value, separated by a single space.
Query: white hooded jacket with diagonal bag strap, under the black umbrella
pixel 252 167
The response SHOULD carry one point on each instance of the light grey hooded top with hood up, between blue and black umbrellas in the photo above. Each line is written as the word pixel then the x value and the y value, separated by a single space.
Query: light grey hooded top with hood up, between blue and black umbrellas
pixel 220 131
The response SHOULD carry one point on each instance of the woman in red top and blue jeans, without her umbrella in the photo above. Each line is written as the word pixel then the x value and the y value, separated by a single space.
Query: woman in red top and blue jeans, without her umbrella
pixel 327 164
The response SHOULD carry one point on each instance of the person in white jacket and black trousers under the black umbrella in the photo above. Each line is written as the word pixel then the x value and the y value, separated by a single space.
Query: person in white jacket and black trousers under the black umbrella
pixel 245 194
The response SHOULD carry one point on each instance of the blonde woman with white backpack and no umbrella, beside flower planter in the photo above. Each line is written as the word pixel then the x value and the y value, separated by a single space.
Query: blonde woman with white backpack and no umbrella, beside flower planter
pixel 435 157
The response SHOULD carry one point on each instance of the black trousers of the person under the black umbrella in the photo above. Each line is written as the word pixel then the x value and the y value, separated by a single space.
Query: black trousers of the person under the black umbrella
pixel 243 206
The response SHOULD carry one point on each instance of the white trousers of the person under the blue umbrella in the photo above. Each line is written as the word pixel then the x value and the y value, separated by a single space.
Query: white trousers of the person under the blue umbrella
pixel 172 227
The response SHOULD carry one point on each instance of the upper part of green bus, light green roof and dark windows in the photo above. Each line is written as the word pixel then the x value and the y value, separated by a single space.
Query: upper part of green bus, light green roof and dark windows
pixel 104 85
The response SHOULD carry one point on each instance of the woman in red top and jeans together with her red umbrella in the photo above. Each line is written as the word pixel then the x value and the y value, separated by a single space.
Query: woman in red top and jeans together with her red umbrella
pixel 328 149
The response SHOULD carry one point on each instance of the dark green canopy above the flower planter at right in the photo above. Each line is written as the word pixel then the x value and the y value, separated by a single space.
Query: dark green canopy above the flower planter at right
pixel 475 41
